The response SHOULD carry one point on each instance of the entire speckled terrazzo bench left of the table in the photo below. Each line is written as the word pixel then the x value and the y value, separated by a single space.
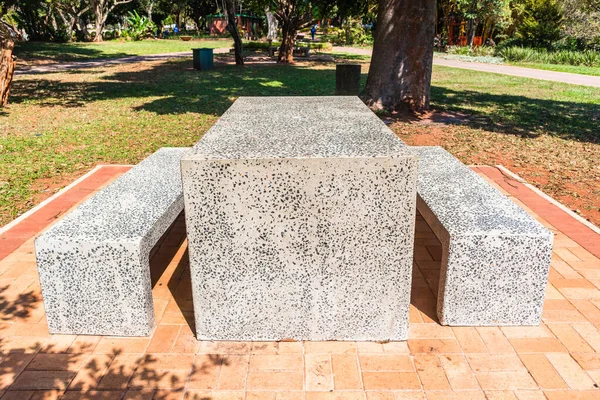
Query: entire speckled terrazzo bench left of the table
pixel 94 263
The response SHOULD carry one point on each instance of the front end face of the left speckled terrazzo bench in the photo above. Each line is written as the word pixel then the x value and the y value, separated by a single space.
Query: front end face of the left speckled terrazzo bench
pixel 96 289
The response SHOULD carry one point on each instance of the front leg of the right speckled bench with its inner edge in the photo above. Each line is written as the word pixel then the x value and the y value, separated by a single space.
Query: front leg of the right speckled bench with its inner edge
pixel 490 280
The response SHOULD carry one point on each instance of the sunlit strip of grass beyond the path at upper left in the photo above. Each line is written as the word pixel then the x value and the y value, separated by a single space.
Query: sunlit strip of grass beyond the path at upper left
pixel 44 52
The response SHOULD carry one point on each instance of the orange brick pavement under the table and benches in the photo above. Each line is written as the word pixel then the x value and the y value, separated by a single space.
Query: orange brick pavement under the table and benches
pixel 558 360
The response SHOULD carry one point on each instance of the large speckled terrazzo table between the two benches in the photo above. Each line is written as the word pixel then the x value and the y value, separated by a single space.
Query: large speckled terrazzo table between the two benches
pixel 300 215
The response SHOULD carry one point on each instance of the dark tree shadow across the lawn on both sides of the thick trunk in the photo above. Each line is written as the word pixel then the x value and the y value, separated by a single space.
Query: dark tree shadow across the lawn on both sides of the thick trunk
pixel 173 87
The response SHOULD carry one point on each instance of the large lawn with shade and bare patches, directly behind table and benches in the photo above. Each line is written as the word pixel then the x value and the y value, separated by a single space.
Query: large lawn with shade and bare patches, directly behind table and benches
pixel 58 126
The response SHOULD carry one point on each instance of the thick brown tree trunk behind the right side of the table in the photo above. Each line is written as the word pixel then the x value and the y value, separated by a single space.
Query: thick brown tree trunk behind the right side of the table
pixel 400 71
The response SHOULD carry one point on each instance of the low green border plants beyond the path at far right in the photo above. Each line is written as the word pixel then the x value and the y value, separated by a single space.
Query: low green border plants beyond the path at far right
pixel 588 58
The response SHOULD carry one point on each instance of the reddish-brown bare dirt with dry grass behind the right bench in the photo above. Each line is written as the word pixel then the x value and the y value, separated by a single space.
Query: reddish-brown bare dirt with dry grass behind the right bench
pixel 577 187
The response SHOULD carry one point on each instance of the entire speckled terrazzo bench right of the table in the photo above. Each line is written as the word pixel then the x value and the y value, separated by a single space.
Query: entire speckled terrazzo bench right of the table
pixel 495 256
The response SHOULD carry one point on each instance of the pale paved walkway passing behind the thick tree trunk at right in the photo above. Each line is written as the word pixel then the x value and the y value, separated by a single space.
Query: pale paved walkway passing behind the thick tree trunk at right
pixel 575 79
